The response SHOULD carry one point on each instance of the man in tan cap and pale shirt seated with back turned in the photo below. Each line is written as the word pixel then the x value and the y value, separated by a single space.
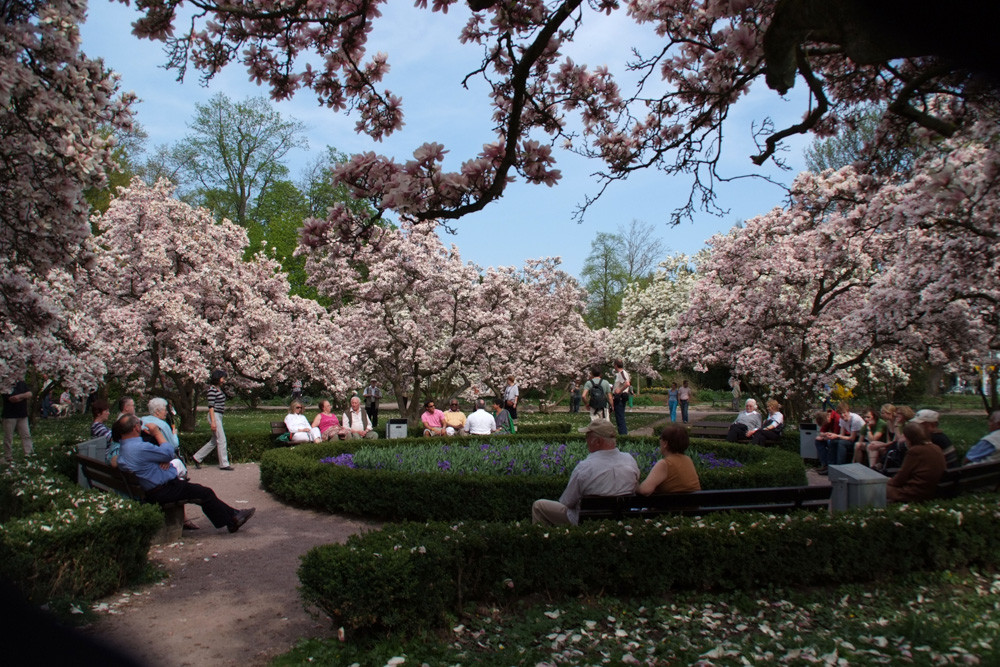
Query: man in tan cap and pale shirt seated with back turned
pixel 605 472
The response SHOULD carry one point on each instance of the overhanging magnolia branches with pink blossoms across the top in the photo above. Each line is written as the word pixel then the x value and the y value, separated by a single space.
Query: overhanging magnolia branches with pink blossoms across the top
pixel 667 111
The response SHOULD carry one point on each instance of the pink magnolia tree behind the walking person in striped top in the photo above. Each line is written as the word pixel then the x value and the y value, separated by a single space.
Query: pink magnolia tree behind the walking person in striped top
pixel 176 300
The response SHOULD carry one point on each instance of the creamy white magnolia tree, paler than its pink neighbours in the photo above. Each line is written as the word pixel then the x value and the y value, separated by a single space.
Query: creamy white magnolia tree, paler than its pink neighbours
pixel 649 313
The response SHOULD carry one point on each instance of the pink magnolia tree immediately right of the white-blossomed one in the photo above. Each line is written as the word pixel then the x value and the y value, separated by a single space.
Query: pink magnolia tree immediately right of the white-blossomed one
pixel 781 301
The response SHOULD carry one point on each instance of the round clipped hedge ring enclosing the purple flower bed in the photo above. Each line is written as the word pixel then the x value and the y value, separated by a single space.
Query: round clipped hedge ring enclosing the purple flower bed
pixel 296 475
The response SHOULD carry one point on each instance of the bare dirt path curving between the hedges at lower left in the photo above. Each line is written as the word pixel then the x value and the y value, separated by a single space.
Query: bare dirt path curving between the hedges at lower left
pixel 229 599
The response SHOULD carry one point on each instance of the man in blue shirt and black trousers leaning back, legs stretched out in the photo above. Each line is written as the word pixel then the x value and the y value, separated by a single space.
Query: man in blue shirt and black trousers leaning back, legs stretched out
pixel 151 464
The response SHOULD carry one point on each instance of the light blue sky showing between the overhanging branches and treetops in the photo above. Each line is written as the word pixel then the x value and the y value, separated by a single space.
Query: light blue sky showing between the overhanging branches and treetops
pixel 428 64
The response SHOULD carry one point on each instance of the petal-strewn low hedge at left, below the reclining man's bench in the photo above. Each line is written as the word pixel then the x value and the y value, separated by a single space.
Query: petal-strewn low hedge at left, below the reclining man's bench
pixel 58 540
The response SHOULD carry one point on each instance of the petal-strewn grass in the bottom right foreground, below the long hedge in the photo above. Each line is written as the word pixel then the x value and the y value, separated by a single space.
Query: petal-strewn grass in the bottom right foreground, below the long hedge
pixel 926 619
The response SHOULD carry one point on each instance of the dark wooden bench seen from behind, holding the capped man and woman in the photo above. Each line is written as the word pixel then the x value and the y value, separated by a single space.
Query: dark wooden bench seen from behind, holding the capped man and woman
pixel 777 500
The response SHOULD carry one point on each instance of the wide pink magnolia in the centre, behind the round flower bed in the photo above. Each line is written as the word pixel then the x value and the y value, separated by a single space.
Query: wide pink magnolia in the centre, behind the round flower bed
pixel 434 326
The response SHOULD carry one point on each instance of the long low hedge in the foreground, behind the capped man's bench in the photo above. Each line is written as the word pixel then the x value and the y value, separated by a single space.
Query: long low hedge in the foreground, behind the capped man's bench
pixel 411 577
